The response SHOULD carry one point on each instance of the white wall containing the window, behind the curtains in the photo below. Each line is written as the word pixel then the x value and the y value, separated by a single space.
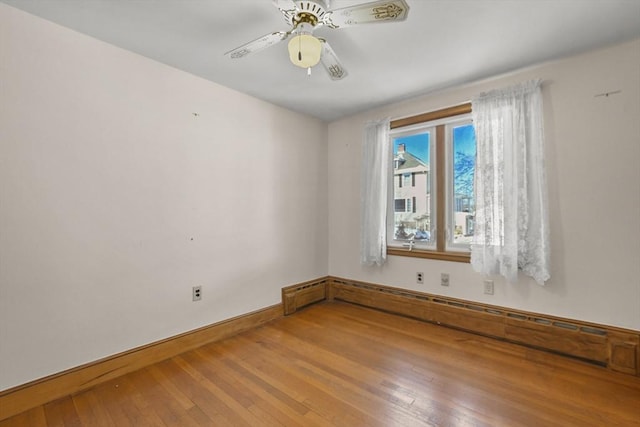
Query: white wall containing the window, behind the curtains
pixel 593 166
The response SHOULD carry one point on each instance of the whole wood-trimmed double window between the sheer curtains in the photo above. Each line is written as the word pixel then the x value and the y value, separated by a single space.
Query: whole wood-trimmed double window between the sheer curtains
pixel 431 210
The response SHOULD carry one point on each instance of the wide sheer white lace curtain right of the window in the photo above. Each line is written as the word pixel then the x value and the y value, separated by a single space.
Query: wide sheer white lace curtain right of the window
pixel 511 230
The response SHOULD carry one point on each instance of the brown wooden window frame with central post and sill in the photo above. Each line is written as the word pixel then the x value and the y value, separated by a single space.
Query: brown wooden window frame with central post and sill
pixel 441 251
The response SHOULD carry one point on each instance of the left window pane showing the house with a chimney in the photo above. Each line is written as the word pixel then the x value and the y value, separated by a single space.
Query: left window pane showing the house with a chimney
pixel 412 192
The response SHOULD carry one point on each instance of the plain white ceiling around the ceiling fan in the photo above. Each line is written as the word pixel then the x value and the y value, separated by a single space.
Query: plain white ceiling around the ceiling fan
pixel 442 43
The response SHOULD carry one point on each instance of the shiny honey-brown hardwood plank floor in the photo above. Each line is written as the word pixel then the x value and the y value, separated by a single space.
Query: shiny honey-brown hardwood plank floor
pixel 336 364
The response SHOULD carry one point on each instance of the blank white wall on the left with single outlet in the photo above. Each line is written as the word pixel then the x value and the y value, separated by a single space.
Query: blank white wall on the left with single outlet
pixel 115 199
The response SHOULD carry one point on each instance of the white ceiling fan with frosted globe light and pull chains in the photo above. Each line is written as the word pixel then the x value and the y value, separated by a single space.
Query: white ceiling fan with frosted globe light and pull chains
pixel 305 16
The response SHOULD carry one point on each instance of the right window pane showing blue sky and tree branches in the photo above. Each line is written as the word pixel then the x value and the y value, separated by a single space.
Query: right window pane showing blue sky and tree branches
pixel 464 161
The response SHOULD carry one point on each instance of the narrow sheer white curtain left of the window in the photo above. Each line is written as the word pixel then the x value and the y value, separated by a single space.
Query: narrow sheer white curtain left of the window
pixel 373 192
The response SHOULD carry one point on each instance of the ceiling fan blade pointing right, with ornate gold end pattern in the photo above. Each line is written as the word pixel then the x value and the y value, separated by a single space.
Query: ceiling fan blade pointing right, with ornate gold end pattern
pixel 377 11
